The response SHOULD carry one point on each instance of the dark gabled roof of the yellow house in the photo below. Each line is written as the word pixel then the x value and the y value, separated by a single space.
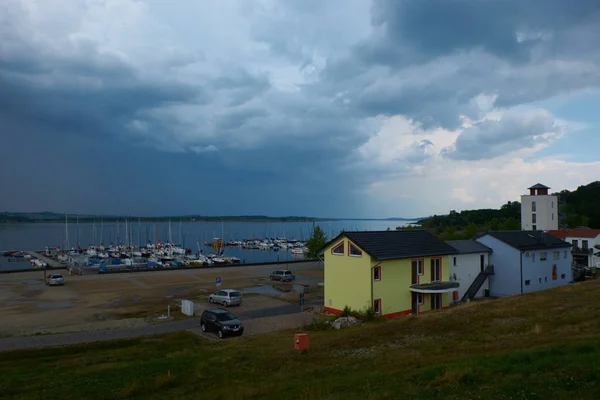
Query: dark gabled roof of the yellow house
pixel 389 245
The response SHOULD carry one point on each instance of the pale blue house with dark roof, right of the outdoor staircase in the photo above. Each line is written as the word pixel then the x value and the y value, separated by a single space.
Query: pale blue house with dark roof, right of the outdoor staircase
pixel 526 261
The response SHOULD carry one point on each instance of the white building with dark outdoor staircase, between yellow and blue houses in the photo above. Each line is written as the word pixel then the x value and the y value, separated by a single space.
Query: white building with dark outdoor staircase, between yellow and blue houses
pixel 466 265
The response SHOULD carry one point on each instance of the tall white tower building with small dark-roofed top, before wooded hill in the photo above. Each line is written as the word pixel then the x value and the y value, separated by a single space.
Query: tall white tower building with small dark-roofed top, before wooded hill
pixel 539 210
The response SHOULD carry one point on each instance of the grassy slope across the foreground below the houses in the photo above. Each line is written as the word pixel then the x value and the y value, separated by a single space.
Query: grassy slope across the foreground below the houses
pixel 484 350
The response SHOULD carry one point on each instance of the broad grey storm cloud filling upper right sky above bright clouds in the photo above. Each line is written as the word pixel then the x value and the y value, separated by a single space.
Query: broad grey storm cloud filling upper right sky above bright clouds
pixel 428 59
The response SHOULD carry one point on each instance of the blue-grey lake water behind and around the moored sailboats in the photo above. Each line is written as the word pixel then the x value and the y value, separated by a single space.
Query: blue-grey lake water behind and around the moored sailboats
pixel 37 236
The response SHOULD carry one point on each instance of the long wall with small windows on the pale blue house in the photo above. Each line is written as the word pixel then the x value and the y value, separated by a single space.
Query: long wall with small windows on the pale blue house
pixel 537 273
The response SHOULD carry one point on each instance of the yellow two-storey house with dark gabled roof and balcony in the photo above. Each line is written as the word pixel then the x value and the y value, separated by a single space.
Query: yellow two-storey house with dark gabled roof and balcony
pixel 395 272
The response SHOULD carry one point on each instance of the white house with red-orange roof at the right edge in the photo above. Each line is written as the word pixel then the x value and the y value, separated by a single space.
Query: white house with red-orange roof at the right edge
pixel 586 245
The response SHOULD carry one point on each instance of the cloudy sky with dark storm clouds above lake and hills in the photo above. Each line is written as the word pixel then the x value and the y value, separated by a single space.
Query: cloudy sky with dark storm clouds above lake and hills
pixel 337 108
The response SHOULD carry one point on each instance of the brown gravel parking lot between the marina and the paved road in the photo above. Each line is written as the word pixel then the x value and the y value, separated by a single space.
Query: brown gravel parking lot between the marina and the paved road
pixel 133 301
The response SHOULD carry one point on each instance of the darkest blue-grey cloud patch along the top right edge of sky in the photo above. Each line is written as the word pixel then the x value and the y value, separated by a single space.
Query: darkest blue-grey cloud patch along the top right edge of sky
pixel 430 28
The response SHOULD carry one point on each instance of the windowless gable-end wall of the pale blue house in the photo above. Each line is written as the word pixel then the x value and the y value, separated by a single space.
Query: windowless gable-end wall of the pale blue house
pixel 506 280
